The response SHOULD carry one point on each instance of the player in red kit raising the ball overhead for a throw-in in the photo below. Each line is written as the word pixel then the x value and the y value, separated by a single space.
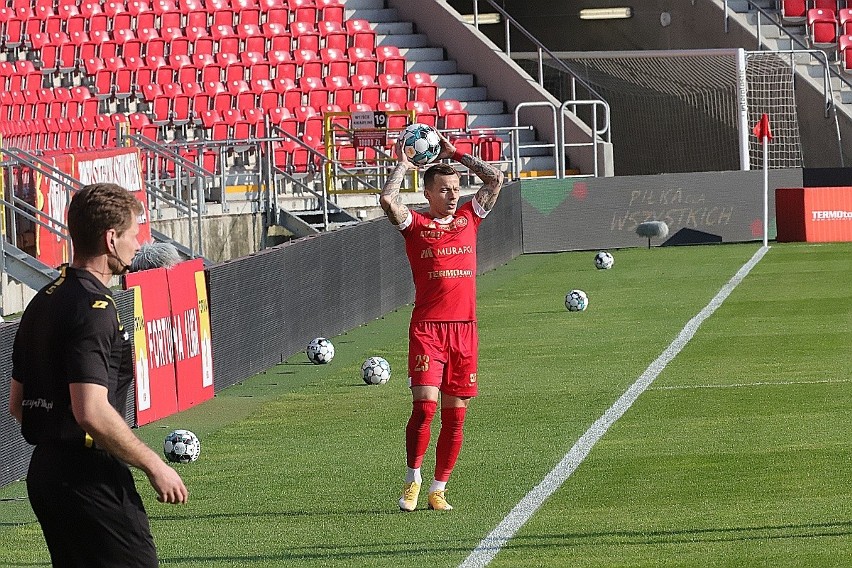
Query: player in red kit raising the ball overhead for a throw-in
pixel 443 340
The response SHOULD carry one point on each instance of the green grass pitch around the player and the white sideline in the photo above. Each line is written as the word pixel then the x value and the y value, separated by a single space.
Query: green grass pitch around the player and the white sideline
pixel 737 455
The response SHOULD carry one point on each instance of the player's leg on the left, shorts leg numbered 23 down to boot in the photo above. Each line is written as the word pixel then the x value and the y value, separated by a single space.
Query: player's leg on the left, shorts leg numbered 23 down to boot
pixel 424 371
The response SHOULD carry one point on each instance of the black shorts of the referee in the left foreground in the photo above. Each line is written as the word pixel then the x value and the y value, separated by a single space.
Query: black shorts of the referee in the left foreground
pixel 89 510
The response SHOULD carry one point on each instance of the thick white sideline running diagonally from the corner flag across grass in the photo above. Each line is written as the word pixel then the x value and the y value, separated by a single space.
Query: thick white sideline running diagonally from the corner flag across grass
pixel 489 546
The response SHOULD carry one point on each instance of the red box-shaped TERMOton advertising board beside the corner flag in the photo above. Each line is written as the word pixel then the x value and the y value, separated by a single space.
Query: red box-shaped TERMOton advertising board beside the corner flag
pixel 814 214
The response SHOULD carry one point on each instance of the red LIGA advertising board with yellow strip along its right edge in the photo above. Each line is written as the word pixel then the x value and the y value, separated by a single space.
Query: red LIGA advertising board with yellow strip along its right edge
pixel 193 364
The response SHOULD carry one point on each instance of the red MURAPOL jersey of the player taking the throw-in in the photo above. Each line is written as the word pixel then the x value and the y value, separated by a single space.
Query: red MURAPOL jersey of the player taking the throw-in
pixel 443 264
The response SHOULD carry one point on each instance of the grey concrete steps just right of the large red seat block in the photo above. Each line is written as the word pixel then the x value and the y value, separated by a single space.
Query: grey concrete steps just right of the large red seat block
pixel 422 56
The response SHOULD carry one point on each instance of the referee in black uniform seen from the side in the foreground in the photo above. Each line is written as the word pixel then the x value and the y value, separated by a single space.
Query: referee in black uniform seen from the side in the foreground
pixel 72 366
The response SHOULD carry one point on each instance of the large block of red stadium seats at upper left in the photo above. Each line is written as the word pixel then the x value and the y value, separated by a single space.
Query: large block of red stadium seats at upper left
pixel 181 65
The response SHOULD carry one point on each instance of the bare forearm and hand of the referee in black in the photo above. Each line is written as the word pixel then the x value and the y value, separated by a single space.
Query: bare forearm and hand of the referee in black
pixel 101 421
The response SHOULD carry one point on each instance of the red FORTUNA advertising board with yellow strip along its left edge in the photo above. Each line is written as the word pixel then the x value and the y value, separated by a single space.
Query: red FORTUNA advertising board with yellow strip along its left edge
pixel 156 383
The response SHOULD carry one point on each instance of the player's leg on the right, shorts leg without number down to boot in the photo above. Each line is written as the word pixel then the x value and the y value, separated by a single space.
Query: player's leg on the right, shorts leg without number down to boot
pixel 459 387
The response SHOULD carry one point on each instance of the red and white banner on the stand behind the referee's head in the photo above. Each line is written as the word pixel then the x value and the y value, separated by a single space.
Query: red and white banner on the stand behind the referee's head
pixel 122 166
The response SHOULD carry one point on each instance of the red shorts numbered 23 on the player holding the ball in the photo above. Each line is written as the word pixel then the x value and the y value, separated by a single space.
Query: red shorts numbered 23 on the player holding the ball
pixel 444 355
